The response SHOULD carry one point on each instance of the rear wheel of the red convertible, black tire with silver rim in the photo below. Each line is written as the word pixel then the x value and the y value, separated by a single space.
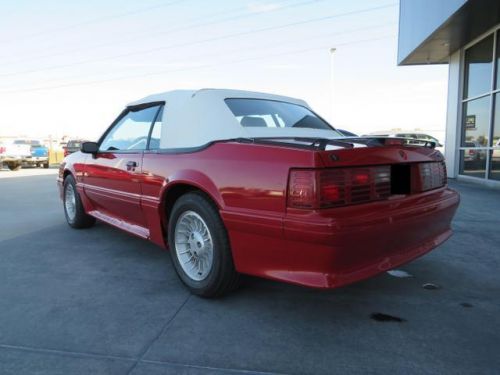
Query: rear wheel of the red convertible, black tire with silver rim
pixel 199 247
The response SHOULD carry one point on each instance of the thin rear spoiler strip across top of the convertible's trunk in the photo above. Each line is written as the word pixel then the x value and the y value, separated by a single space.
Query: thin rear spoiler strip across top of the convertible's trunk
pixel 320 144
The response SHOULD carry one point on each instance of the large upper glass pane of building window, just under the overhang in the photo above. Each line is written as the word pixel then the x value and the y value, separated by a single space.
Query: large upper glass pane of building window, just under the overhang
pixel 478 66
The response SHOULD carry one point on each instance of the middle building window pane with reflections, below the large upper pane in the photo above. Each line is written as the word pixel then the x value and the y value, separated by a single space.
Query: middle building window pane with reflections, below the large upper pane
pixel 475 122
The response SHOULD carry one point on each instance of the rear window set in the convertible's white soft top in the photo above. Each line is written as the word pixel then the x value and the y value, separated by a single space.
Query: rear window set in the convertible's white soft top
pixel 275 114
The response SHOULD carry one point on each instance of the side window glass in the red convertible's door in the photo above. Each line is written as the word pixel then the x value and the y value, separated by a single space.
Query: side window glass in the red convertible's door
pixel 131 132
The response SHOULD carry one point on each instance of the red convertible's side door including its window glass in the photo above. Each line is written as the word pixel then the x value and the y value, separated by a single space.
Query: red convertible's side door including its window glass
pixel 112 177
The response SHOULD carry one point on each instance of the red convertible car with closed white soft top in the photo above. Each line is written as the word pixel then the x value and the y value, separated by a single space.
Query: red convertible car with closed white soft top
pixel 236 182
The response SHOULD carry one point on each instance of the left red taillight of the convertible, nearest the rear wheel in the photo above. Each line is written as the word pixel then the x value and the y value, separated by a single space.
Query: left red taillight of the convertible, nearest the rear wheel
pixel 326 188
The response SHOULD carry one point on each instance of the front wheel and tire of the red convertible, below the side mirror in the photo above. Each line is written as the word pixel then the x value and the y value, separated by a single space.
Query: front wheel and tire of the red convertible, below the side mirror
pixel 73 207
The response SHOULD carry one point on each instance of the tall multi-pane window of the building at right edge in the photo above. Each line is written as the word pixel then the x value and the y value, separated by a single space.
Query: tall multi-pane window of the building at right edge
pixel 480 126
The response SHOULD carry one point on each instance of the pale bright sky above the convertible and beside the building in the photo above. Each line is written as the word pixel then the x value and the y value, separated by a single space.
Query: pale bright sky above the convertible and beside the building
pixel 69 68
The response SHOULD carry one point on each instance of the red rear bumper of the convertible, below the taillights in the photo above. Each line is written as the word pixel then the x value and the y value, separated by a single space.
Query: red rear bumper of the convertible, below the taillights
pixel 335 247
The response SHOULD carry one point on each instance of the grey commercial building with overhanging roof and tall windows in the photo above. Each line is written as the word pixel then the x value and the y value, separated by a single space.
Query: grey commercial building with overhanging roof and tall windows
pixel 466 35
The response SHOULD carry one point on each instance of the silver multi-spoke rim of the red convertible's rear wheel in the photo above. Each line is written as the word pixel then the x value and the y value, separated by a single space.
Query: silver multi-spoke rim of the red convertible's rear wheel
pixel 193 245
